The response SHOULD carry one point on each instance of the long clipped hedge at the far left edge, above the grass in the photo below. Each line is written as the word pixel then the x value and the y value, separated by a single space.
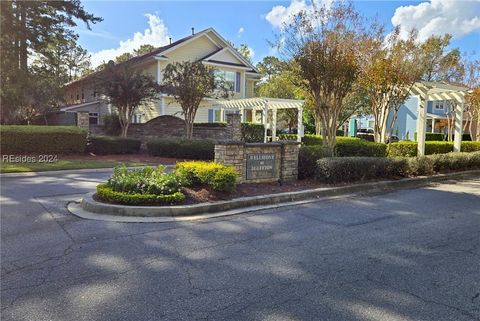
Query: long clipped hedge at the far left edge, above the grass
pixel 31 139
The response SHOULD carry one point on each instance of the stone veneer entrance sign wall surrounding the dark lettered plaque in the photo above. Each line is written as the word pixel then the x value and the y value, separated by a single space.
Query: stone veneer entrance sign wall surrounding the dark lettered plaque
pixel 235 154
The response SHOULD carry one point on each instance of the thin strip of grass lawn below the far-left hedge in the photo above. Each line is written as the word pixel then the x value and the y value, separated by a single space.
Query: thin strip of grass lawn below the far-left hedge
pixel 62 165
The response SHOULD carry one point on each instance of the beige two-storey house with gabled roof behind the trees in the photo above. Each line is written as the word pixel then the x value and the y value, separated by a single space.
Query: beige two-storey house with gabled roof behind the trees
pixel 206 46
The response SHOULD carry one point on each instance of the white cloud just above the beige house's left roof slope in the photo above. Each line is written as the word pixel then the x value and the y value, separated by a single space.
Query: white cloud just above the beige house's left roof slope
pixel 156 34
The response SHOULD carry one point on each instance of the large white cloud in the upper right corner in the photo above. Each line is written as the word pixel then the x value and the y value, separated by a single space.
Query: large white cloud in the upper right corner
pixel 437 17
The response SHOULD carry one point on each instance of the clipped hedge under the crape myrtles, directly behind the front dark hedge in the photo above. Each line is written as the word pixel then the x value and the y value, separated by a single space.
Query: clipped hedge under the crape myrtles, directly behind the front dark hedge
pixel 357 147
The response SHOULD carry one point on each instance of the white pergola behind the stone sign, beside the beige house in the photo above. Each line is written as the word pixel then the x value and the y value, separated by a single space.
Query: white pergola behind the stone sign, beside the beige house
pixel 264 105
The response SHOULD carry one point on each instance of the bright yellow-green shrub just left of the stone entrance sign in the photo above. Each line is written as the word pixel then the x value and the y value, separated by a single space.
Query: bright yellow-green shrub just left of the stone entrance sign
pixel 216 176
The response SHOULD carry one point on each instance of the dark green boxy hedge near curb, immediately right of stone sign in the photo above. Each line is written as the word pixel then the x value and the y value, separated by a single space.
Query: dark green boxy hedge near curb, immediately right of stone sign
pixel 349 169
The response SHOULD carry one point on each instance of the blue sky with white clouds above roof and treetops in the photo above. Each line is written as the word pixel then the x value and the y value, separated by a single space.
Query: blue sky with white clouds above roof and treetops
pixel 129 24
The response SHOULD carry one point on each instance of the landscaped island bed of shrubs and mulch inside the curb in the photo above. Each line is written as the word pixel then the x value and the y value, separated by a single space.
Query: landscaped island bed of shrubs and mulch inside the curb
pixel 206 187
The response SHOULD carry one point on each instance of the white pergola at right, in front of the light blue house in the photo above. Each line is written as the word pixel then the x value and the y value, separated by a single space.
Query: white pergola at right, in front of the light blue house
pixel 426 91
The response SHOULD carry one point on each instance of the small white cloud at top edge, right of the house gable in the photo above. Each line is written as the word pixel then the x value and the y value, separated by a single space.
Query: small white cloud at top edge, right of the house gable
pixel 281 15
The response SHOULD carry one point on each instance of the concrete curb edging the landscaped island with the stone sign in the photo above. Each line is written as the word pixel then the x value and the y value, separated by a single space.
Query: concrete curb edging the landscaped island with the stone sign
pixel 88 208
